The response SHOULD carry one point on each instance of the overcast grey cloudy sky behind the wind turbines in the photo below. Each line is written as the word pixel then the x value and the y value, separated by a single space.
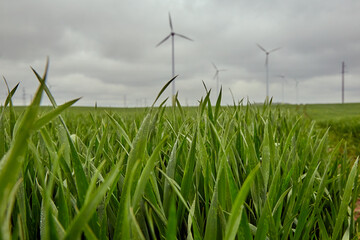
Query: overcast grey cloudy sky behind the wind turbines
pixel 105 51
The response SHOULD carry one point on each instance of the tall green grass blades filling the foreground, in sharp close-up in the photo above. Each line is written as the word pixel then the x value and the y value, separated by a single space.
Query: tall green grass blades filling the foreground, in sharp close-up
pixel 236 172
